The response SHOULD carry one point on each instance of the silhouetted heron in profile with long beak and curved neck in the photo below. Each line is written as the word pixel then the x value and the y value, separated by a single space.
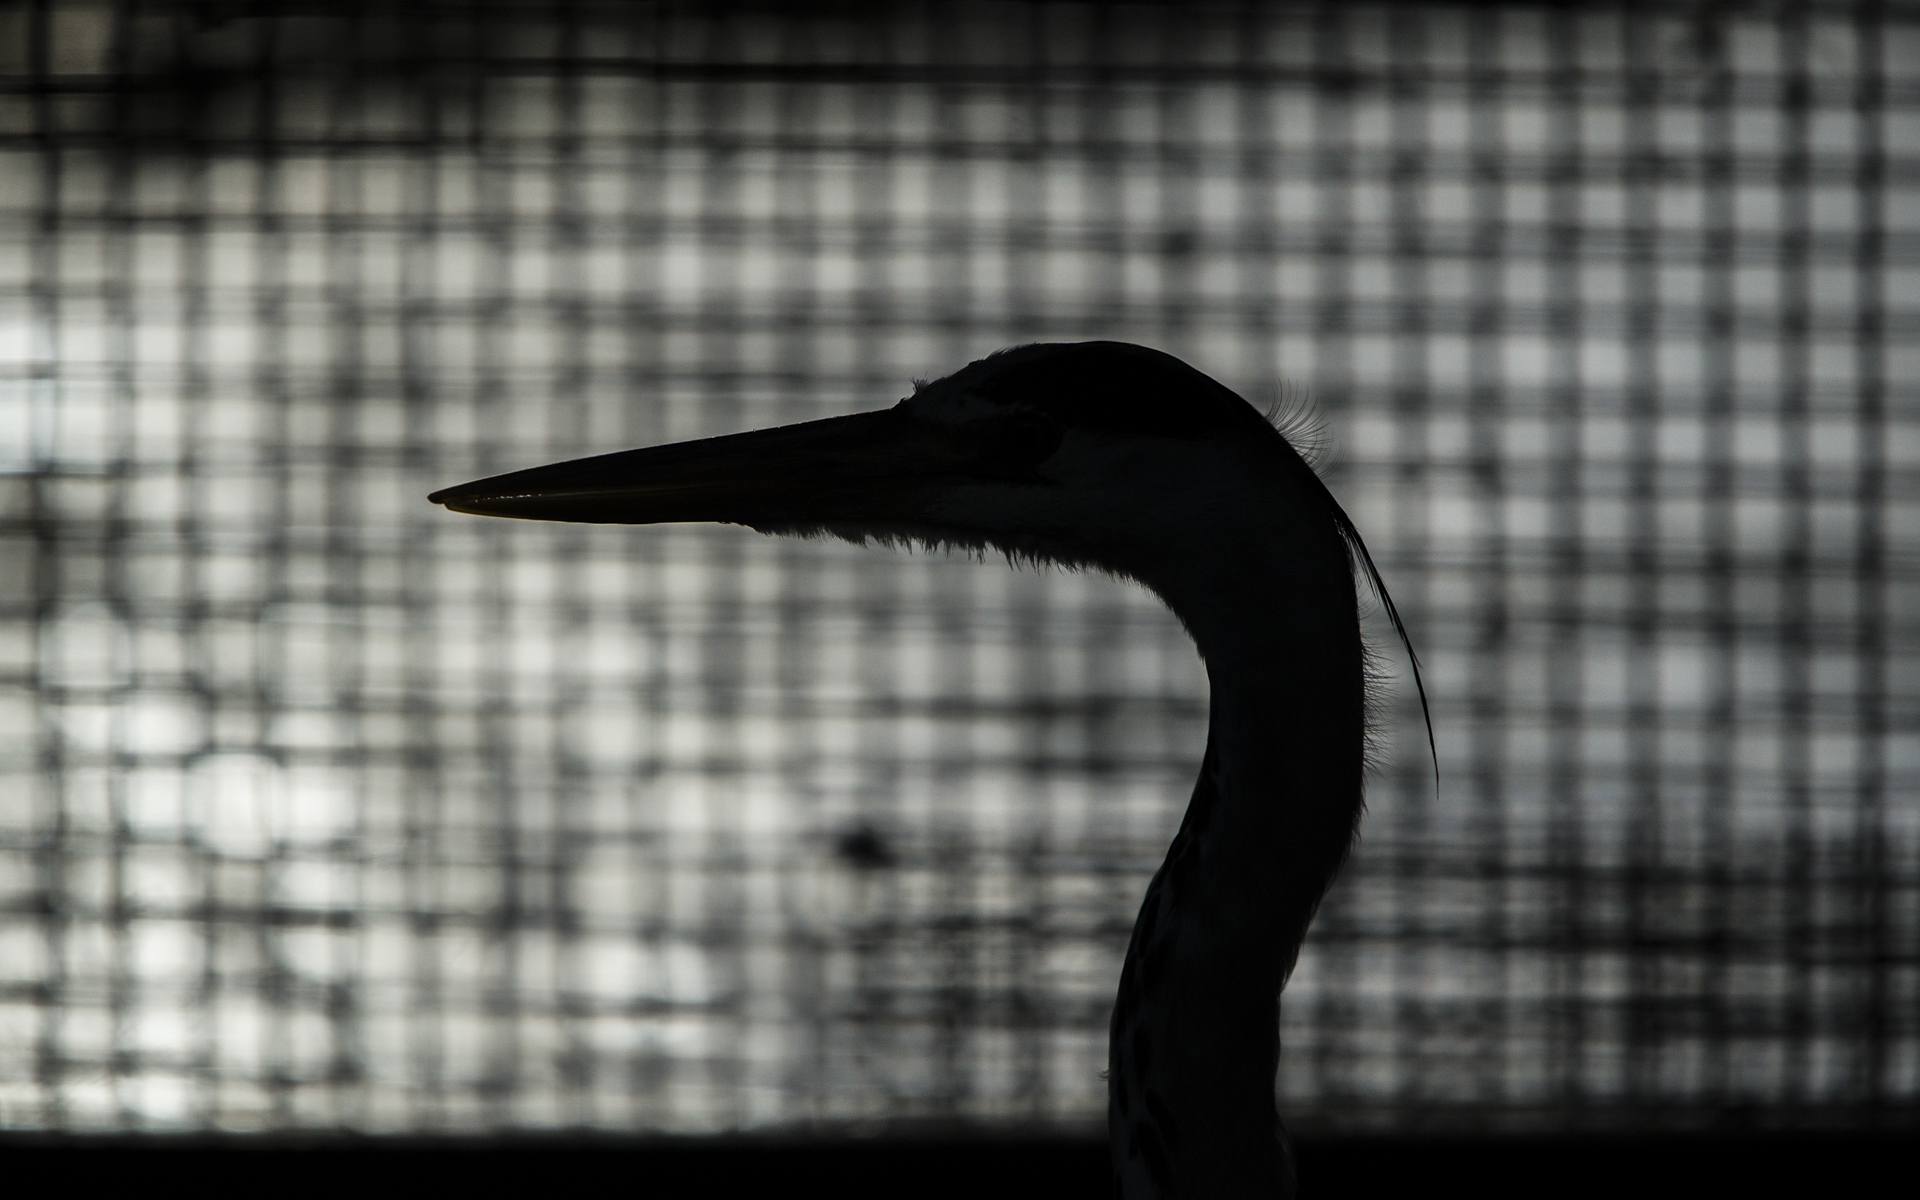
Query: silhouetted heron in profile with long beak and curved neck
pixel 1124 460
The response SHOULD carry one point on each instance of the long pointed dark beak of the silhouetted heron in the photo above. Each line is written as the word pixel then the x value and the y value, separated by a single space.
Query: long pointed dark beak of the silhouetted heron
pixel 863 468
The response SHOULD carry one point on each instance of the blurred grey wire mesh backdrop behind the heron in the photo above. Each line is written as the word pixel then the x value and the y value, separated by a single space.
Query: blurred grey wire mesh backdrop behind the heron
pixel 331 809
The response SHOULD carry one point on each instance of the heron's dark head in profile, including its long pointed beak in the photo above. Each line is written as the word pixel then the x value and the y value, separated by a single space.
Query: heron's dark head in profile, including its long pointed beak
pixel 1095 454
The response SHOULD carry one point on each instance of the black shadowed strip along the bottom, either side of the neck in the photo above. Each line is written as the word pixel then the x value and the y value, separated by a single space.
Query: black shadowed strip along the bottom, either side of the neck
pixel 1783 1164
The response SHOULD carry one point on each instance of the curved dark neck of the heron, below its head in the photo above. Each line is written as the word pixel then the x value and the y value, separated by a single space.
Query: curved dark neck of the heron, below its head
pixel 1195 1040
